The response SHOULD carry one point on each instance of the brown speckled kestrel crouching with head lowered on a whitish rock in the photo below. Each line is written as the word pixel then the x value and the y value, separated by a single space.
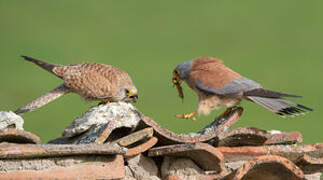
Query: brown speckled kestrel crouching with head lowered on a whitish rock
pixel 92 81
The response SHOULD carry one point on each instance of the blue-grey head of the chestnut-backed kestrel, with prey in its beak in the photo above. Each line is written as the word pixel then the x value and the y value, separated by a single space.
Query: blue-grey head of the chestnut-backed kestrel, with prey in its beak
pixel 181 73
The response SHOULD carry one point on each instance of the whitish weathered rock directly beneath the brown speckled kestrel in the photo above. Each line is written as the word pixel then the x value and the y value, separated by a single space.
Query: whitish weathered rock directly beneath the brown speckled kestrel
pixel 97 119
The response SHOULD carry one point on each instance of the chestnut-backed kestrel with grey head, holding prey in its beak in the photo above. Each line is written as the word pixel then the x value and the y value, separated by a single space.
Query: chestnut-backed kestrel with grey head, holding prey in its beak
pixel 218 86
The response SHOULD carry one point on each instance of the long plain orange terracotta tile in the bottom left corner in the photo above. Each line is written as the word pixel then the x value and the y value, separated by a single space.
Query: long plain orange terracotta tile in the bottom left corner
pixel 112 168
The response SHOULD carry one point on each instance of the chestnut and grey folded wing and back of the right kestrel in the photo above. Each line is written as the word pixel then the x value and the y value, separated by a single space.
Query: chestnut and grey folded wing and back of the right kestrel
pixel 215 78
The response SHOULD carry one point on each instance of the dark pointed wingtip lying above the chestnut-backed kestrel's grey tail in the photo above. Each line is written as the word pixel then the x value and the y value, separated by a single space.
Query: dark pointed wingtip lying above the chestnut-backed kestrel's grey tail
pixel 260 92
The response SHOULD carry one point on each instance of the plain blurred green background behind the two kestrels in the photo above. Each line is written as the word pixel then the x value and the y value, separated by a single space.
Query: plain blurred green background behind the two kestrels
pixel 277 43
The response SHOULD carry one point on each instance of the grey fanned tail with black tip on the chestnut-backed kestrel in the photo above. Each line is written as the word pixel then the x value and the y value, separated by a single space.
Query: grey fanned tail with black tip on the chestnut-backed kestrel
pixel 280 106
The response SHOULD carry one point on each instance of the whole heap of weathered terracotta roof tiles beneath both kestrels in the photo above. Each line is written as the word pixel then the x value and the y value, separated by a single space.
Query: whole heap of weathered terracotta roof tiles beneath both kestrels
pixel 145 150
